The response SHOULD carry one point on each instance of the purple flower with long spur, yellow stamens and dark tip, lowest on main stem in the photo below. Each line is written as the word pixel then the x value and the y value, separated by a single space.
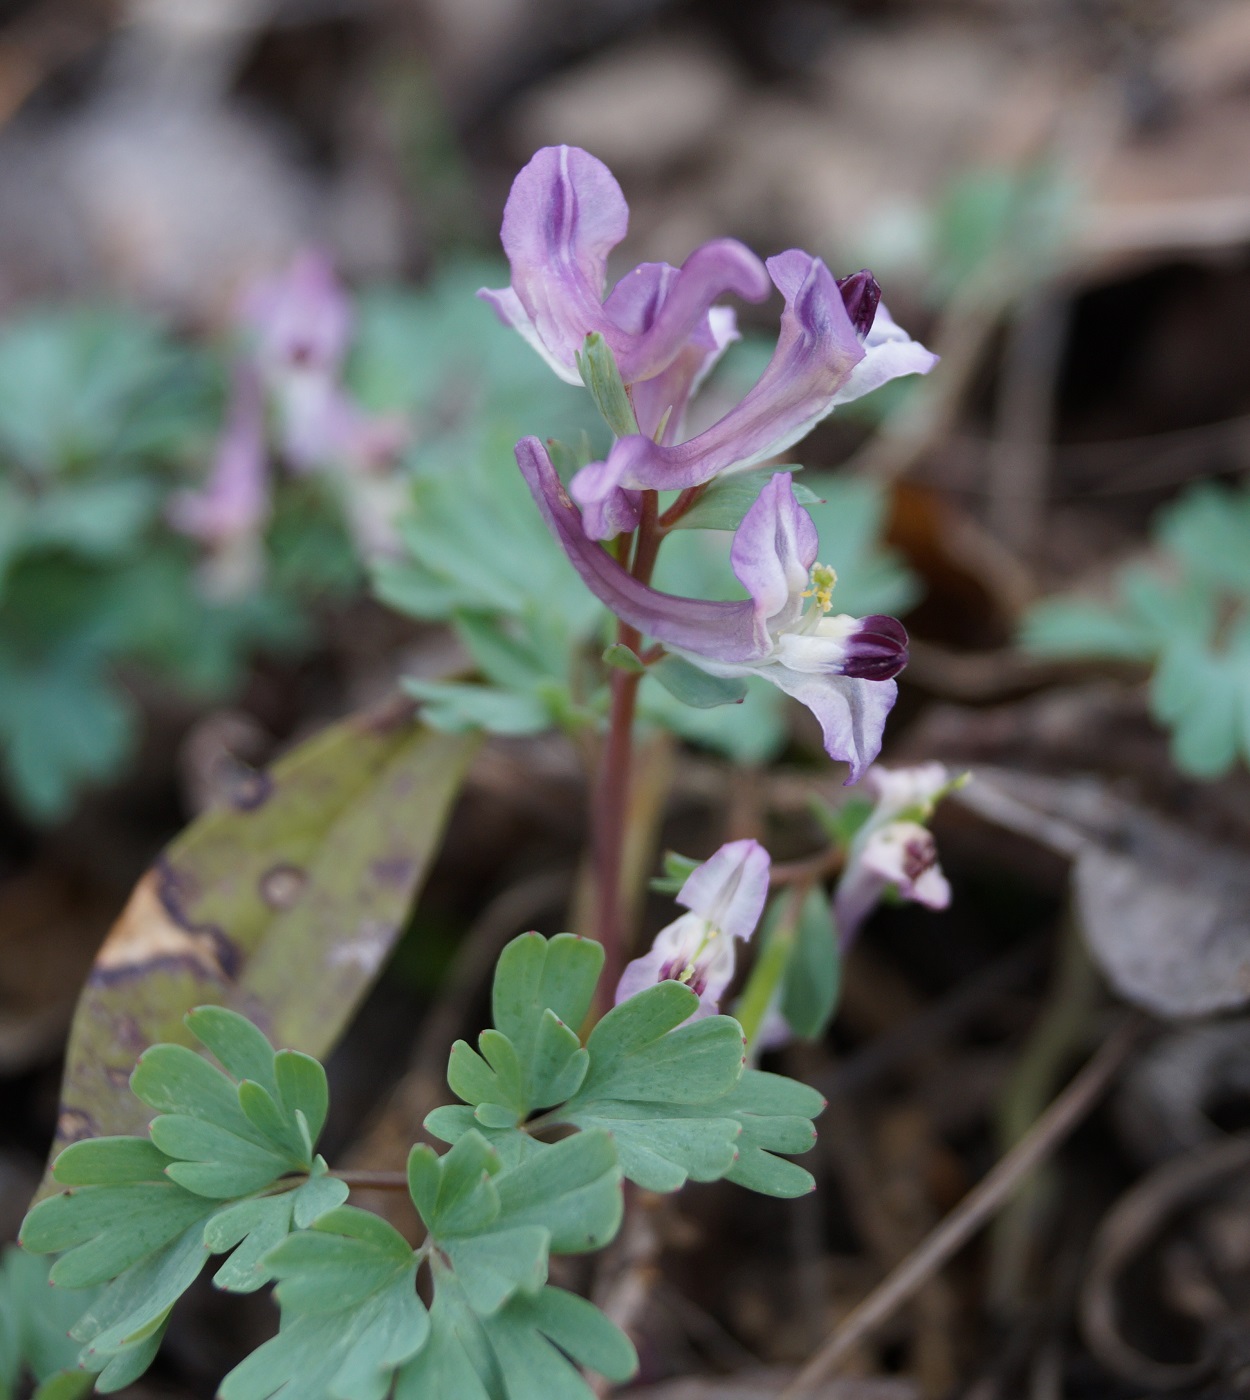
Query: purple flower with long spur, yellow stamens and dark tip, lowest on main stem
pixel 839 667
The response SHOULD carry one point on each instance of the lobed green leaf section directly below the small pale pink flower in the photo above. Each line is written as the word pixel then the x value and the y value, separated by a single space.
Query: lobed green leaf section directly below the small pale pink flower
pixel 668 1091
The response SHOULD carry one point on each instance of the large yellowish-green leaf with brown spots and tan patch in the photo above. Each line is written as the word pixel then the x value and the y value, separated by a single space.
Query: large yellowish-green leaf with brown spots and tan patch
pixel 313 866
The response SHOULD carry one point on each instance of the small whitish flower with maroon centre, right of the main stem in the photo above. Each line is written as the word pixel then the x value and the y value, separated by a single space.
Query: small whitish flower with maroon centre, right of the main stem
pixel 895 849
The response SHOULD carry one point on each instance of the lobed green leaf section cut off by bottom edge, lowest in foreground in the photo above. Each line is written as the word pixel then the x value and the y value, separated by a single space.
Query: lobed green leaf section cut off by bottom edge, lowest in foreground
pixel 352 1318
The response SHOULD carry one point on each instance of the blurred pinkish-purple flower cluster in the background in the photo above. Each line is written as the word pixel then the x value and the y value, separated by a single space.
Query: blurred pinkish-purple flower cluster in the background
pixel 297 330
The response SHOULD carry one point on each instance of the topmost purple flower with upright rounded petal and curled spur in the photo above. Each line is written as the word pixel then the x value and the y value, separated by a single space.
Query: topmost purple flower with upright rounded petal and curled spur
pixel 565 216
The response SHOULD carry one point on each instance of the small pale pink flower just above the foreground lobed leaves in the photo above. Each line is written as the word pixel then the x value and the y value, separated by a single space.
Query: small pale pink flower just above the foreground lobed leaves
pixel 726 898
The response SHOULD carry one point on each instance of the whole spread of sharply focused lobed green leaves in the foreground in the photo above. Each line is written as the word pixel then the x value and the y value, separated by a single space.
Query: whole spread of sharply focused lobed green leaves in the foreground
pixel 230 1168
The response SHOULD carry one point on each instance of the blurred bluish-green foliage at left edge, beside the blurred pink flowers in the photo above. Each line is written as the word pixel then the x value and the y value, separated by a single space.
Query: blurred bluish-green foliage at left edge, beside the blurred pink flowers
pixel 100 414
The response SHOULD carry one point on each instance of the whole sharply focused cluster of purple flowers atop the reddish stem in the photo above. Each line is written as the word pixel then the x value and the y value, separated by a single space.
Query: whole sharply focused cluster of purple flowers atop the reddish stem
pixel 666 330
